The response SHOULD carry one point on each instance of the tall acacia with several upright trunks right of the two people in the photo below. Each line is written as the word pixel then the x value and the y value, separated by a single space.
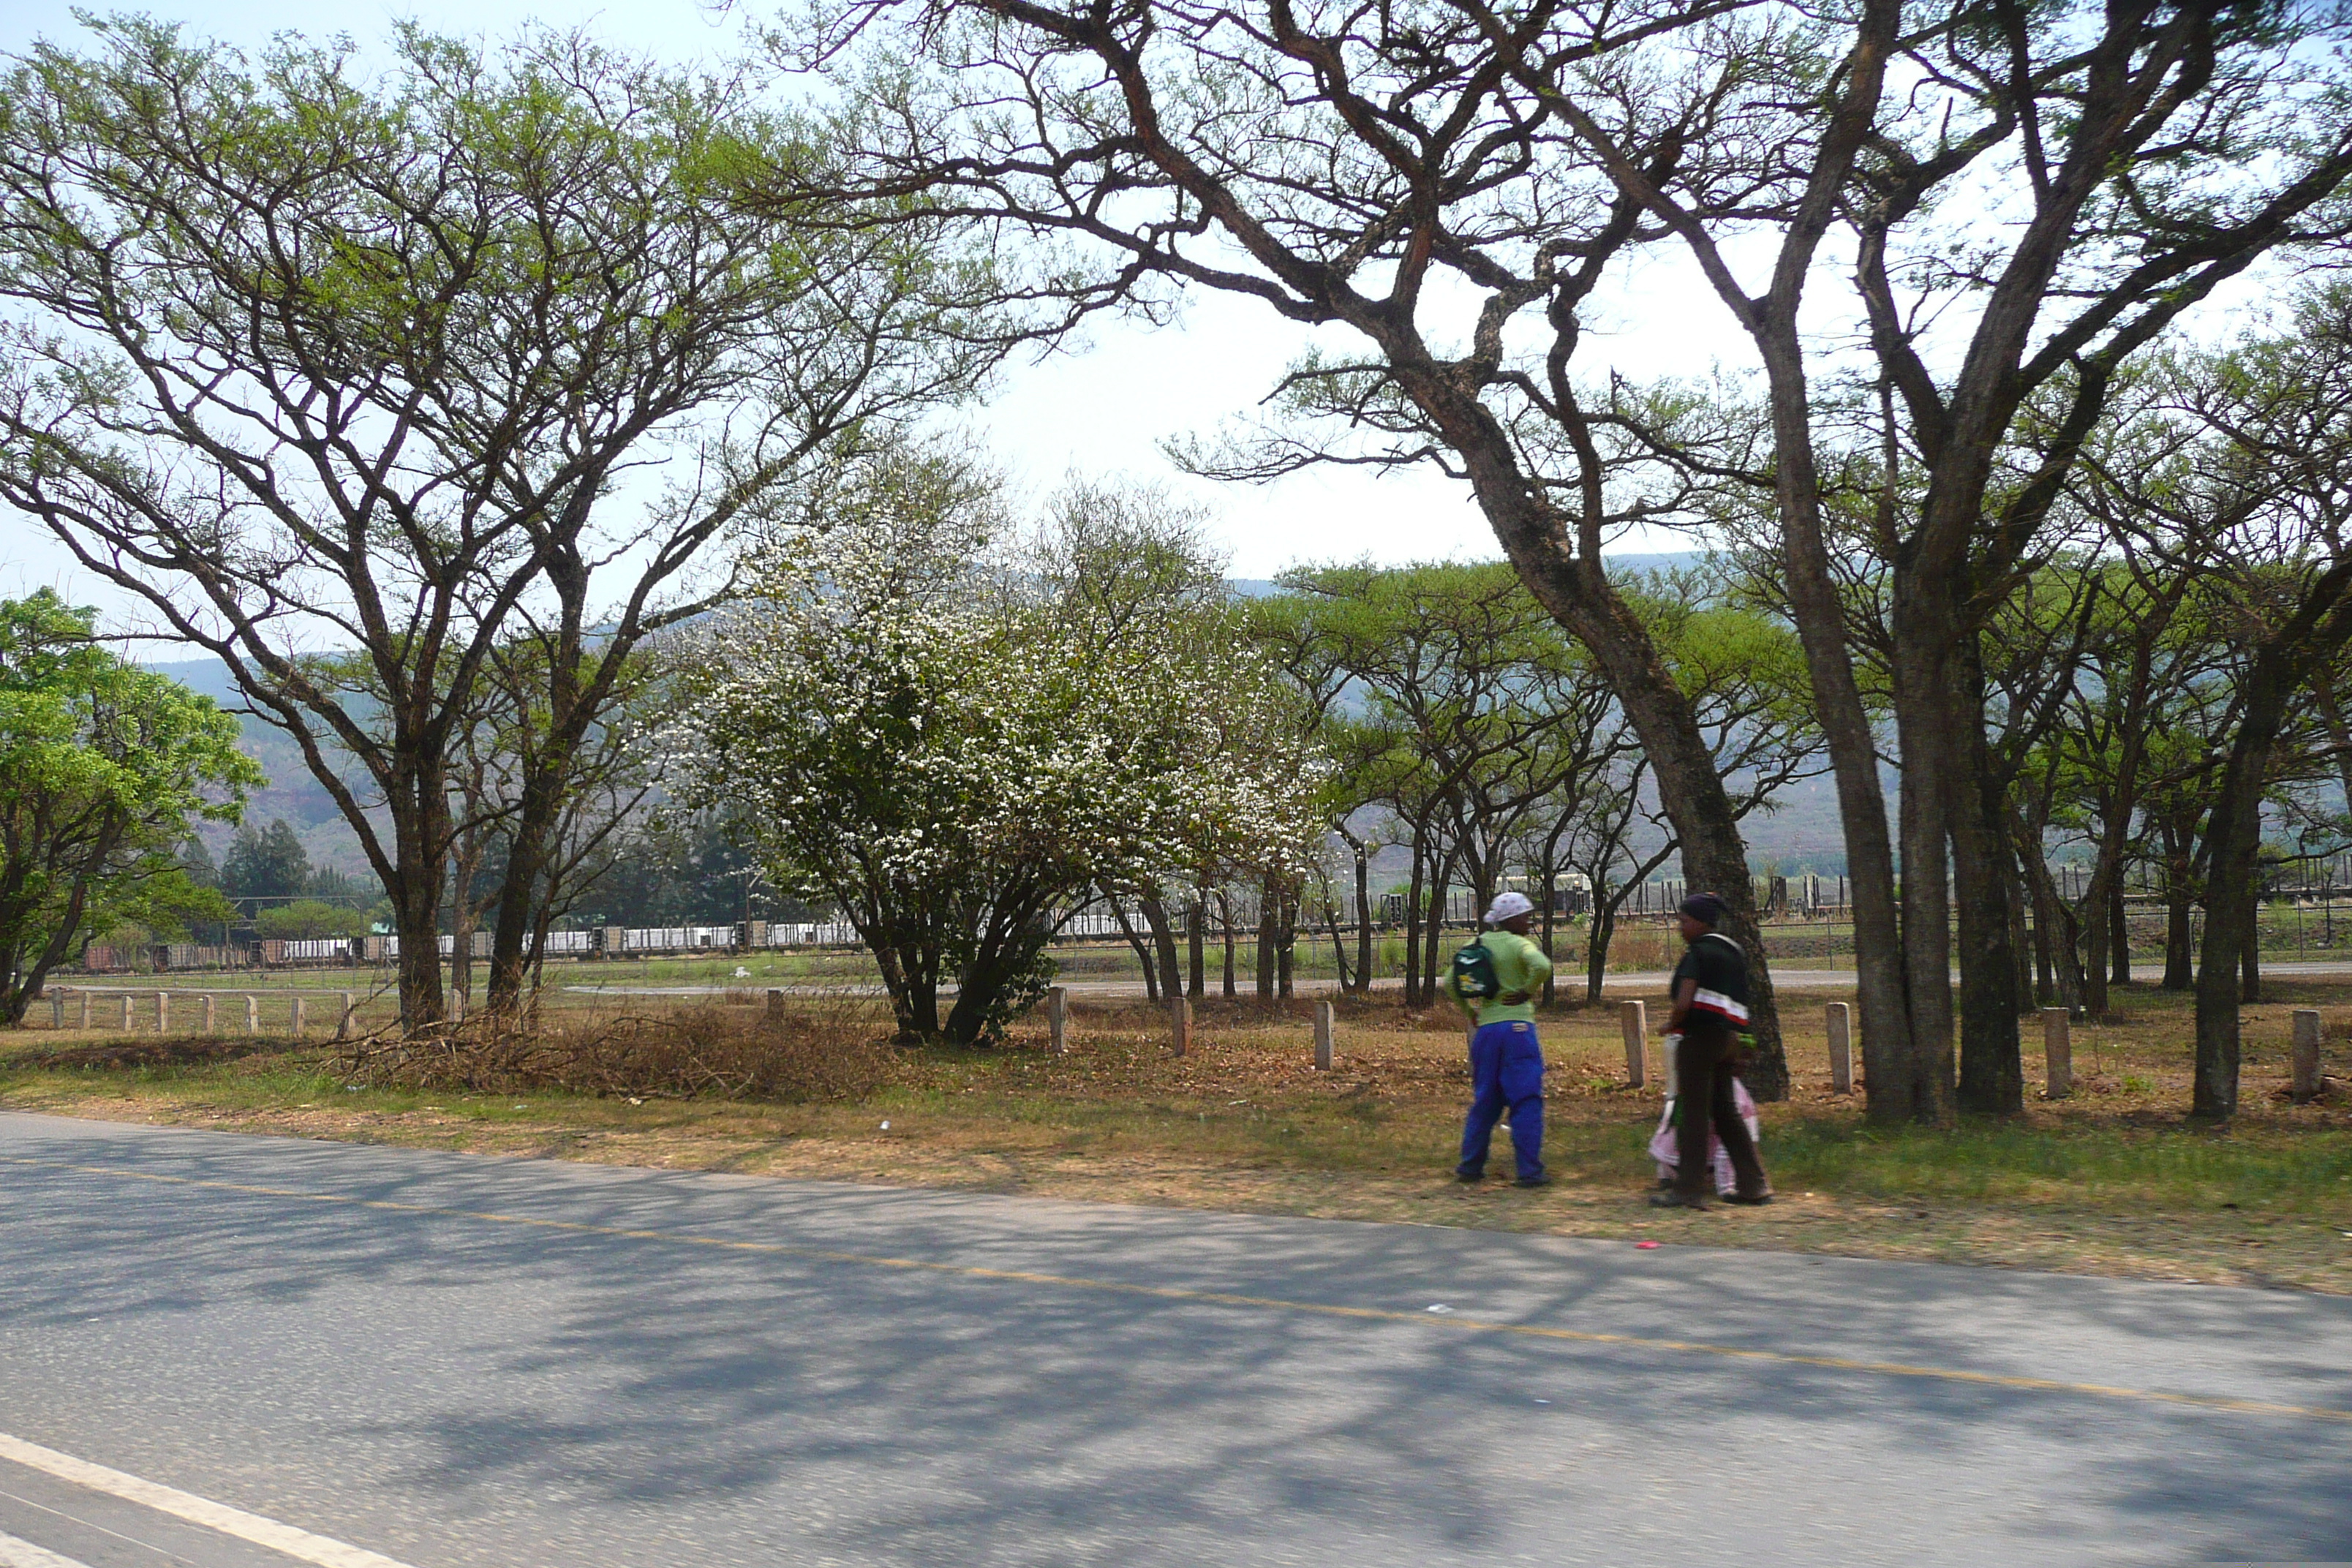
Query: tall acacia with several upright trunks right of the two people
pixel 2031 199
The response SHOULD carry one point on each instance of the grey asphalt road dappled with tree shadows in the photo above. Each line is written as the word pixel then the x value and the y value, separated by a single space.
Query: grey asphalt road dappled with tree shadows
pixel 441 1360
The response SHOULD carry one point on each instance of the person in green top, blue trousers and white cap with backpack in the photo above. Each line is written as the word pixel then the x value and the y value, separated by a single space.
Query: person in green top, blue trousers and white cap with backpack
pixel 1495 981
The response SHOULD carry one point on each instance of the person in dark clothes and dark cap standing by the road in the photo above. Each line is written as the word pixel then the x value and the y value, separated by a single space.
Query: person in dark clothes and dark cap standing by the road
pixel 1711 1014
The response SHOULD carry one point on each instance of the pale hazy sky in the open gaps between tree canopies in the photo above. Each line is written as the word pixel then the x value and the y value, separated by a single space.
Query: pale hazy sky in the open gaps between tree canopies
pixel 1102 408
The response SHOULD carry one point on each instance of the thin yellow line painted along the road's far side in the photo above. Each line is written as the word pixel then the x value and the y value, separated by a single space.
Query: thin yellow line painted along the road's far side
pixel 1231 1299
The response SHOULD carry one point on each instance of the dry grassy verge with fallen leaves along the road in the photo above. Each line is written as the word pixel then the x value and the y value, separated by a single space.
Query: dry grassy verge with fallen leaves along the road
pixel 2113 1181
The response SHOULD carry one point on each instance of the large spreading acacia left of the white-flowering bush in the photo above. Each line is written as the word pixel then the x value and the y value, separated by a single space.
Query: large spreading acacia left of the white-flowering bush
pixel 326 363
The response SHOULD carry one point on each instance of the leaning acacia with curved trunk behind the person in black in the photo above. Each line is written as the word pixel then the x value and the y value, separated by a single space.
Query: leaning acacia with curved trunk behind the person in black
pixel 1368 168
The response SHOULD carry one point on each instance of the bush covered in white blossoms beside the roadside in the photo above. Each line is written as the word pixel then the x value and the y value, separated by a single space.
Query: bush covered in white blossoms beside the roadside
pixel 937 735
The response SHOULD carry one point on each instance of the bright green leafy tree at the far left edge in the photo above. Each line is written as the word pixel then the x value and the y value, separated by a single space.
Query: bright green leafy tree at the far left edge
pixel 105 770
